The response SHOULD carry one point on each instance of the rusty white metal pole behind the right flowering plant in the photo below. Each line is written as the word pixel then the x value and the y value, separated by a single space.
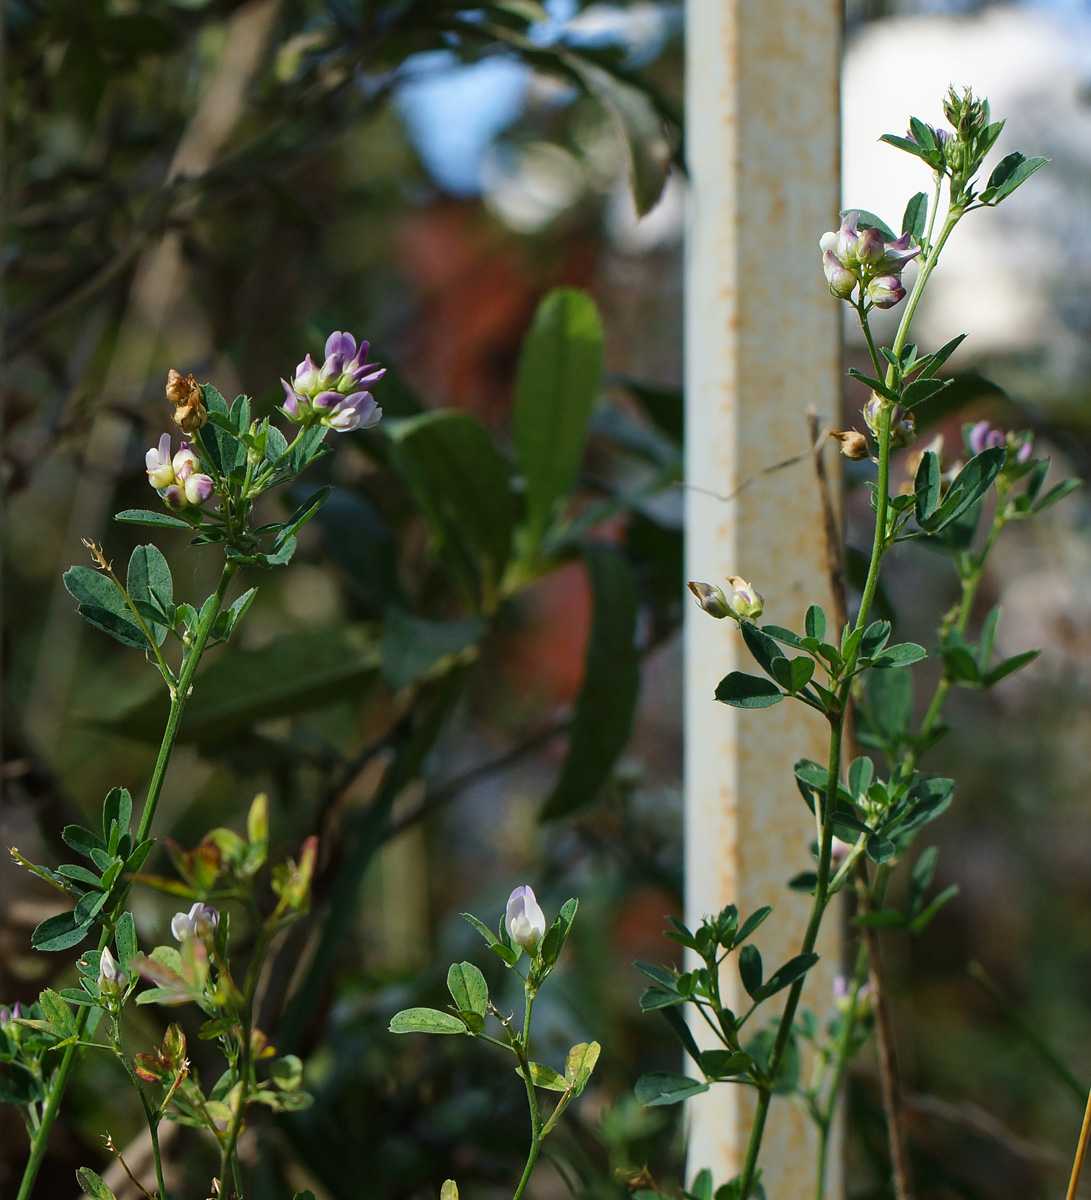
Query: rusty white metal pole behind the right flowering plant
pixel 763 345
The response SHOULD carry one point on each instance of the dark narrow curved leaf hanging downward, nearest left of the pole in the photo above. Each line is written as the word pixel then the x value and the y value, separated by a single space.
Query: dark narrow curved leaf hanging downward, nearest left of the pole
pixel 603 717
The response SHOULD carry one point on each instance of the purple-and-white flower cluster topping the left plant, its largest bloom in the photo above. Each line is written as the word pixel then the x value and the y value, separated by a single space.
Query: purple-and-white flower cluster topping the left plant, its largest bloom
pixel 337 393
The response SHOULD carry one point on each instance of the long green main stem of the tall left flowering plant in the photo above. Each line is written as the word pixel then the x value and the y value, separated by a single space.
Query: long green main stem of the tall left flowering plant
pixel 61 1082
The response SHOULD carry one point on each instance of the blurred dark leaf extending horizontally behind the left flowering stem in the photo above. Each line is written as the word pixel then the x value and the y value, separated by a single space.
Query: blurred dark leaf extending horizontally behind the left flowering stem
pixel 290 675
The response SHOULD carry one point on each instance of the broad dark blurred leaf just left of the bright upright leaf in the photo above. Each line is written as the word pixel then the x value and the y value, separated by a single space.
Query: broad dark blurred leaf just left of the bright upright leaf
pixel 463 485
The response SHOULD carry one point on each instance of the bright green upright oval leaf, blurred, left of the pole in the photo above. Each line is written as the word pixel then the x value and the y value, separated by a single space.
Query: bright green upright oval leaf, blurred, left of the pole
pixel 556 388
